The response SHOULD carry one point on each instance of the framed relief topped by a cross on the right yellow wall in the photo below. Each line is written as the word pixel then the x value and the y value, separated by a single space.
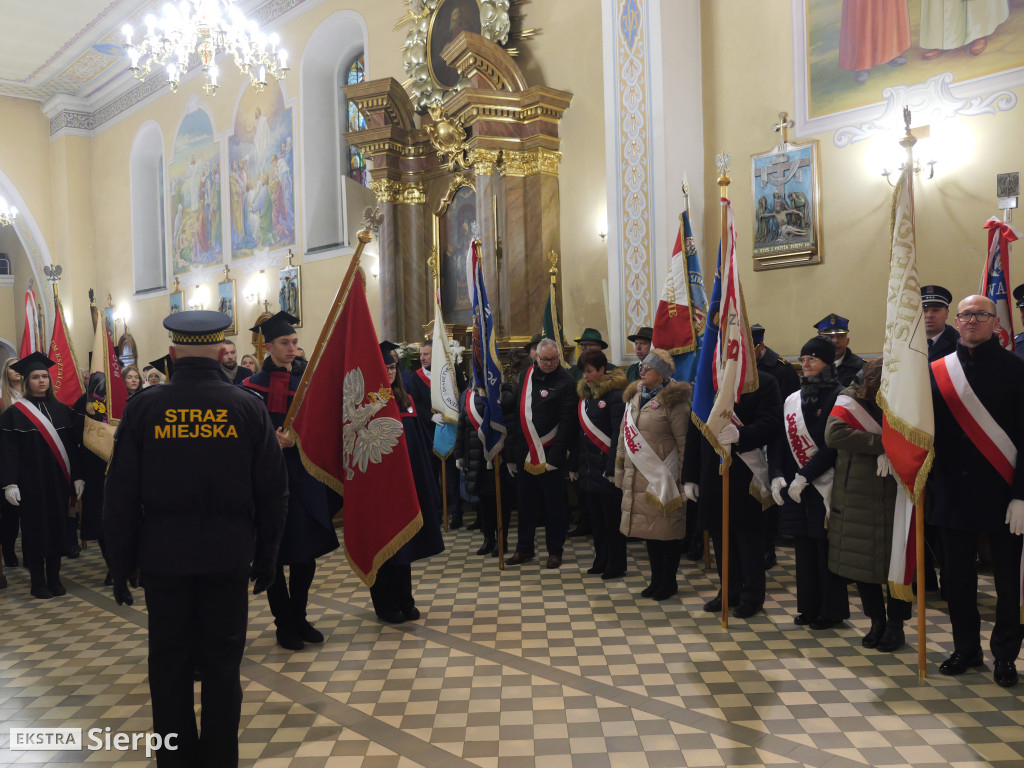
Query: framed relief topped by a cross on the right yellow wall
pixel 781 227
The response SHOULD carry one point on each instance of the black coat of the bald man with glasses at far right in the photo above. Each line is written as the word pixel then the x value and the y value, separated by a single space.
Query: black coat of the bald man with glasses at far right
pixel 967 492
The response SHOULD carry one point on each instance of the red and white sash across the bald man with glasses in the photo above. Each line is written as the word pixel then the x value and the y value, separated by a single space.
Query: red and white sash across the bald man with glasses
pixel 973 417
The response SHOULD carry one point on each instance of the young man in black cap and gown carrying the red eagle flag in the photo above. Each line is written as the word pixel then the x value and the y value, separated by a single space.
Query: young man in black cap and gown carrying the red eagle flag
pixel 309 532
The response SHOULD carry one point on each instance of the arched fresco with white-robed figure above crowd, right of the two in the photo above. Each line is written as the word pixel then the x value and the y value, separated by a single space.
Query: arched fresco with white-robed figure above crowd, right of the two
pixel 262 174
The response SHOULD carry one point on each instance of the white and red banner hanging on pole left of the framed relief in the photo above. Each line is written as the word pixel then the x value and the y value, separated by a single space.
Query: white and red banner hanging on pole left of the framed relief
pixel 736 369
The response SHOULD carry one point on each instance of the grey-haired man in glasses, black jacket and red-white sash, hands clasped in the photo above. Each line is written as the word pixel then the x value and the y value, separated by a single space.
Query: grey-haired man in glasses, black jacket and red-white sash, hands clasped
pixel 542 429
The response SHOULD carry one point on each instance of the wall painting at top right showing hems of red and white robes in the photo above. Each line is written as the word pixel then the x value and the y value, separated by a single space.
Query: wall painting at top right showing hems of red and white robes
pixel 856 50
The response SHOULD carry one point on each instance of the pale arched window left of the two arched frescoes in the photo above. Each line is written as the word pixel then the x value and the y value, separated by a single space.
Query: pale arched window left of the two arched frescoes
pixel 149 240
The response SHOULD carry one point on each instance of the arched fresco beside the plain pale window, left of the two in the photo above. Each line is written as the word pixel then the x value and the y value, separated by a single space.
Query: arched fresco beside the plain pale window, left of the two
pixel 196 232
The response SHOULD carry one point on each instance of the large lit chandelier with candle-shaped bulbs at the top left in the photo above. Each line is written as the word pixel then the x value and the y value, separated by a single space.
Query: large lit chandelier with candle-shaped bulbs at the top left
pixel 206 28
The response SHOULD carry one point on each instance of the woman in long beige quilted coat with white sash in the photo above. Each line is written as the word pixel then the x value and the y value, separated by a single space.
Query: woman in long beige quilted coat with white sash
pixel 648 468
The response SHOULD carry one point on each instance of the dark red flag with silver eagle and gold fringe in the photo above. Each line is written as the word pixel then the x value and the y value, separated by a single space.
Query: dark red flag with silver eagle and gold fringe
pixel 347 386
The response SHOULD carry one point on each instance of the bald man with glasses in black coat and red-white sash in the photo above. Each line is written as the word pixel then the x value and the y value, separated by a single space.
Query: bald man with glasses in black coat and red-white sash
pixel 977 486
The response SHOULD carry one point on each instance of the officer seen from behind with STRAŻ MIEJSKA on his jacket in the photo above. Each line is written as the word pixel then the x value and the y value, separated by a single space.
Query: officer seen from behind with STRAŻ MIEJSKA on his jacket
pixel 197 539
